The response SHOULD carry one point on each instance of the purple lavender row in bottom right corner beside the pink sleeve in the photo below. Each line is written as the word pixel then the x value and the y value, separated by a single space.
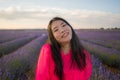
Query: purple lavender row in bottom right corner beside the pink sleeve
pixel 102 73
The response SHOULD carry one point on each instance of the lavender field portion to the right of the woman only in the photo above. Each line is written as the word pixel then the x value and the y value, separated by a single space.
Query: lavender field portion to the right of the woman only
pixel 104 46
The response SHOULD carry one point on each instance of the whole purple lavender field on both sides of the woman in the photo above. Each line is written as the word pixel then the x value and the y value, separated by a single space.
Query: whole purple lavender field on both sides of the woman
pixel 19 50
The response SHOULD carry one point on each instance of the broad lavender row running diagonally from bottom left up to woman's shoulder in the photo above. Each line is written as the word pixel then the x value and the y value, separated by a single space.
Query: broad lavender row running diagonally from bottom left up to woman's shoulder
pixel 17 63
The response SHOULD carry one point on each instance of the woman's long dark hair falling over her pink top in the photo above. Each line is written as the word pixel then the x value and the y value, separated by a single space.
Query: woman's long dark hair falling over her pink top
pixel 78 55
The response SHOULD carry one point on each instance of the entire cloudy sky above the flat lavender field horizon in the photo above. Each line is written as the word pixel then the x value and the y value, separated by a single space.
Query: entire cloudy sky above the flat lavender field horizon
pixel 81 14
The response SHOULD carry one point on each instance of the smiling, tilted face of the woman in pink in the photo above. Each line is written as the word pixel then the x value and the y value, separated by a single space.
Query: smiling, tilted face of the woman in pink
pixel 61 31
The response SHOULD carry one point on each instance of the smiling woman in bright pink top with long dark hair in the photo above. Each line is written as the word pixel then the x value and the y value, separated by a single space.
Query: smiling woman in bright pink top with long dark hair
pixel 63 58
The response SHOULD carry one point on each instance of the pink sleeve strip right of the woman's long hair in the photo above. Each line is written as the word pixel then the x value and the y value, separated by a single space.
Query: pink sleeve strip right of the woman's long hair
pixel 88 69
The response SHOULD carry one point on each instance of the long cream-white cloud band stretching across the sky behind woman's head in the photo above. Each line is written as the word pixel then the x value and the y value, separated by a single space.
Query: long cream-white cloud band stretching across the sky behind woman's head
pixel 75 16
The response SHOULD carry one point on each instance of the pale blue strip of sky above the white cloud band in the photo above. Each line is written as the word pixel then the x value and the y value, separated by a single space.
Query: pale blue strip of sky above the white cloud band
pixel 104 5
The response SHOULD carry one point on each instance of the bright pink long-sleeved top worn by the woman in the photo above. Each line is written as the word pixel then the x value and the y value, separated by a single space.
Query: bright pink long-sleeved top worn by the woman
pixel 45 66
